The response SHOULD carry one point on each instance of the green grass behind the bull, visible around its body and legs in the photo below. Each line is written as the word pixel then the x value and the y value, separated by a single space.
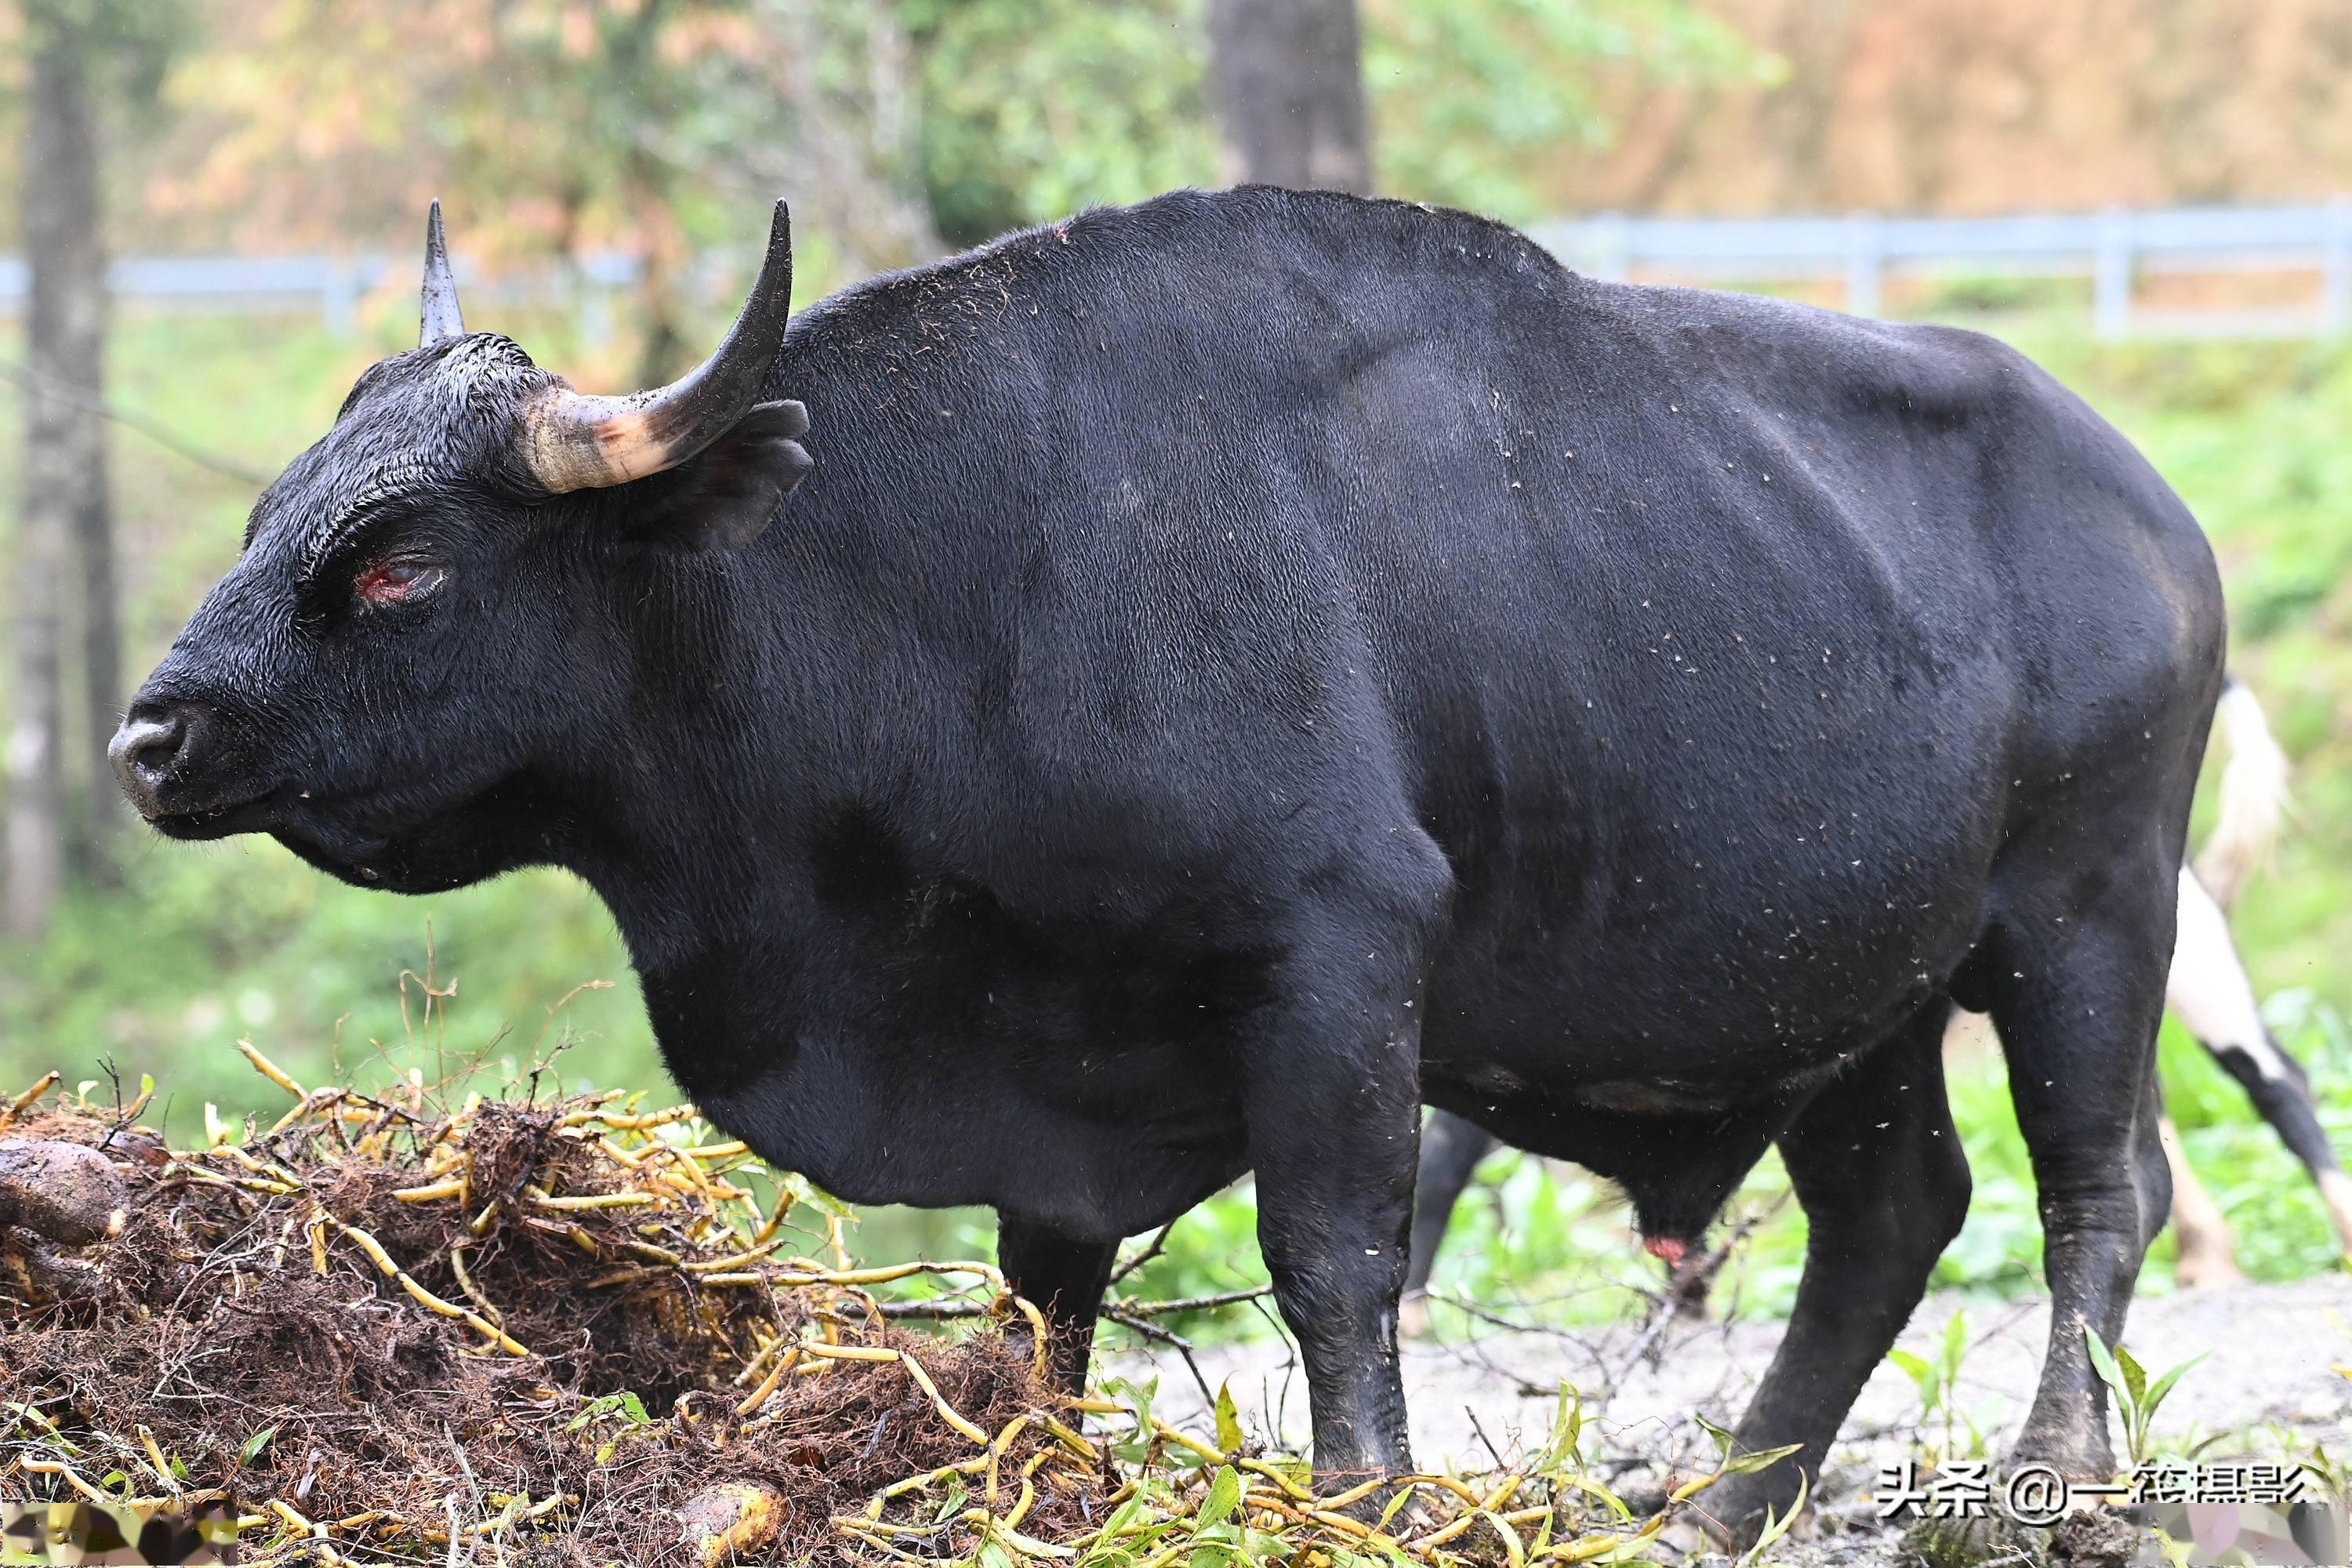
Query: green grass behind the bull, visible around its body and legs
pixel 203 946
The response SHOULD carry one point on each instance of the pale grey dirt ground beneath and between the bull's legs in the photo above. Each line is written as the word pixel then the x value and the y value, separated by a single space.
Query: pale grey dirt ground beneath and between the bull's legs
pixel 2266 1388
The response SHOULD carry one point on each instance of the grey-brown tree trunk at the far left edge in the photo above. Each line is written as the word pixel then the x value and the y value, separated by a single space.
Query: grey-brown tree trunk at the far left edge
pixel 65 460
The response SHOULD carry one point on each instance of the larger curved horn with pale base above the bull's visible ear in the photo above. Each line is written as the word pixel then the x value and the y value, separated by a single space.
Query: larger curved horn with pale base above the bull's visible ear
pixel 573 441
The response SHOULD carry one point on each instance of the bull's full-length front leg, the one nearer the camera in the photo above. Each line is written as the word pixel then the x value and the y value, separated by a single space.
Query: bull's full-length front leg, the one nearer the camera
pixel 1332 1099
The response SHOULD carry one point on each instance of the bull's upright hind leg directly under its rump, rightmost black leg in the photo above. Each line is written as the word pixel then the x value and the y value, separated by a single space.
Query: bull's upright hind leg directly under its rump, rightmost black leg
pixel 2078 993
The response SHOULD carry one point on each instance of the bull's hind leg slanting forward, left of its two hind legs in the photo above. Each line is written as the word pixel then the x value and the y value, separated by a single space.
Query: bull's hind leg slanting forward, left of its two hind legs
pixel 1885 1186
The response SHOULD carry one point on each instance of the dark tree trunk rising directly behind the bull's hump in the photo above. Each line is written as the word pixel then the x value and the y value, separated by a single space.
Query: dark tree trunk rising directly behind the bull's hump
pixel 1290 93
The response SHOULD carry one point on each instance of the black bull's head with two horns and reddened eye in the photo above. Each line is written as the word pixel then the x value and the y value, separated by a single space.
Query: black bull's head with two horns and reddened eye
pixel 373 681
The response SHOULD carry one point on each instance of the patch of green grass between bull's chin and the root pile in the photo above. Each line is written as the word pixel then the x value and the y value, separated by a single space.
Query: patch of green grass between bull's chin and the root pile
pixel 250 944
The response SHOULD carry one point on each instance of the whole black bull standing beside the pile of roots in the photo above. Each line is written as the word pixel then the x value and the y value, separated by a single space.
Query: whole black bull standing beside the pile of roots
pixel 1248 666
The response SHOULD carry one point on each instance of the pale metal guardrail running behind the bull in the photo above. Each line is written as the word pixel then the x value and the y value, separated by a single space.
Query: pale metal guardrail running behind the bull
pixel 1859 253
